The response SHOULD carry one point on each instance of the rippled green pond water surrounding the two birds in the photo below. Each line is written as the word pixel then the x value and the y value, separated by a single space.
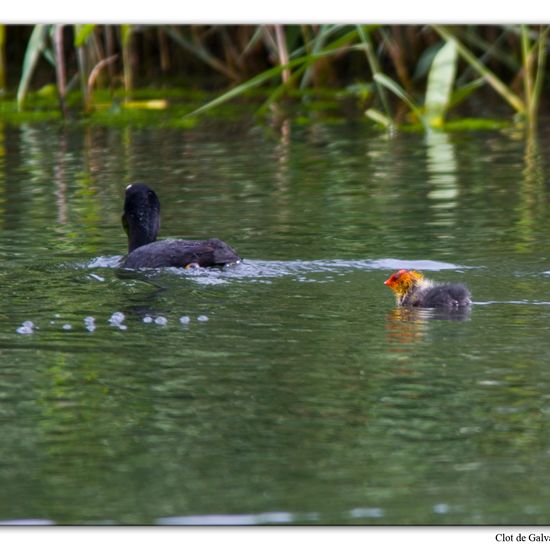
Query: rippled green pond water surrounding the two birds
pixel 287 389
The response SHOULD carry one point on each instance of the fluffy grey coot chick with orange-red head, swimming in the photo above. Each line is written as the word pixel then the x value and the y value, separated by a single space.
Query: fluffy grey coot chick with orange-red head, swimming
pixel 412 289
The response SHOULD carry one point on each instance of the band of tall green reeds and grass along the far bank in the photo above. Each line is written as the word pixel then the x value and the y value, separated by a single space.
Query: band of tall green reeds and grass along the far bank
pixel 405 73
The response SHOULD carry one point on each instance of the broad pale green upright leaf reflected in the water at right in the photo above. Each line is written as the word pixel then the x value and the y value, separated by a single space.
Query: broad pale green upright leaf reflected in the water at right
pixel 440 83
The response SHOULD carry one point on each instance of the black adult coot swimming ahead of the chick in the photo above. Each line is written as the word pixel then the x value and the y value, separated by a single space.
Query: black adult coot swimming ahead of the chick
pixel 141 221
